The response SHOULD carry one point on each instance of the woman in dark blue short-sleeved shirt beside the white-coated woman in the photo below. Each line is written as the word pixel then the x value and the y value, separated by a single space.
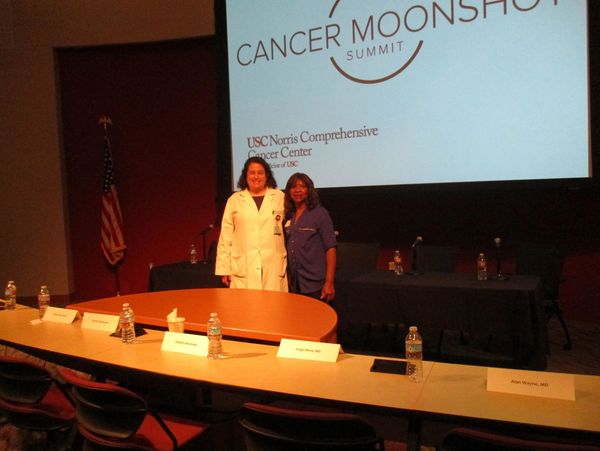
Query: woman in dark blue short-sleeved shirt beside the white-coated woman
pixel 310 240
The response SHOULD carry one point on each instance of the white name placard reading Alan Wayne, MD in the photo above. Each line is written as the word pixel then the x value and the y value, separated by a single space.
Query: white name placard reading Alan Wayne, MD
pixel 531 383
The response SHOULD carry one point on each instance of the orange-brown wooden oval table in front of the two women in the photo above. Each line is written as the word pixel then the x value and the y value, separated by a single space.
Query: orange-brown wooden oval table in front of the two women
pixel 248 314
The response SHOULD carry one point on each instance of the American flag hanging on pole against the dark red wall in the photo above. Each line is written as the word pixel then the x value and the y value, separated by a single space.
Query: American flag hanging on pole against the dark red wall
pixel 112 242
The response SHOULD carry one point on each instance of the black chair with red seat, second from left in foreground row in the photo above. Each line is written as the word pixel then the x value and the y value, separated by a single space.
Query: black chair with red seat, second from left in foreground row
pixel 110 416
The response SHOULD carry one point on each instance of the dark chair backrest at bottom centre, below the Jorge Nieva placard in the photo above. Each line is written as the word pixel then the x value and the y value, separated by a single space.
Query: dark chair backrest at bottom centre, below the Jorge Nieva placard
pixel 269 428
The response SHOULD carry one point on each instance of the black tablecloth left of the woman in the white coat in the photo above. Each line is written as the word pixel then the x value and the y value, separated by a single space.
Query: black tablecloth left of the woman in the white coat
pixel 182 275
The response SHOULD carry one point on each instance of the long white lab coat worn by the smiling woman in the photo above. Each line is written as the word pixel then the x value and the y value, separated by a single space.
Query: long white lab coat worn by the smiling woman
pixel 251 246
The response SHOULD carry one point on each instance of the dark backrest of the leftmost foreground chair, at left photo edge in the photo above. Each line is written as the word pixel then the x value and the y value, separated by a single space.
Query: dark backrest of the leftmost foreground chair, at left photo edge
pixel 23 381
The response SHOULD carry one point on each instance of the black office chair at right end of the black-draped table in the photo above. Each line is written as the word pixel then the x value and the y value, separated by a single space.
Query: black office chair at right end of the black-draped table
pixel 545 261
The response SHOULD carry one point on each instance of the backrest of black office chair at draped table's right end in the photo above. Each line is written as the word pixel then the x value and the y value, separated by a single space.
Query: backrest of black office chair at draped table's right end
pixel 543 260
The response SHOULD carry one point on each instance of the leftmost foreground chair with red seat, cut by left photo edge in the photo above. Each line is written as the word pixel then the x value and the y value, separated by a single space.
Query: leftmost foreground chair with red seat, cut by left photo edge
pixel 31 399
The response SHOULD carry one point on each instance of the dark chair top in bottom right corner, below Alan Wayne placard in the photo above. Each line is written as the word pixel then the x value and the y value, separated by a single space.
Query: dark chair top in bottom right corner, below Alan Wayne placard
pixel 468 439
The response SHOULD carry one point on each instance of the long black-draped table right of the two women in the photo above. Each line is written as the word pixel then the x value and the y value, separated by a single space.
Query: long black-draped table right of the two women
pixel 492 311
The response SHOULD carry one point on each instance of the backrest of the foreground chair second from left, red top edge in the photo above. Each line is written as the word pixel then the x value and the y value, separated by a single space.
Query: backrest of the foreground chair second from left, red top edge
pixel 104 408
